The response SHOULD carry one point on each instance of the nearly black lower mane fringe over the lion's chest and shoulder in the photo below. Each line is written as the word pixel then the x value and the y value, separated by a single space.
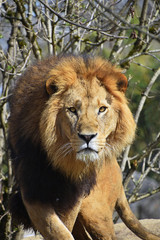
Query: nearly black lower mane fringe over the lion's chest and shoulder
pixel 42 183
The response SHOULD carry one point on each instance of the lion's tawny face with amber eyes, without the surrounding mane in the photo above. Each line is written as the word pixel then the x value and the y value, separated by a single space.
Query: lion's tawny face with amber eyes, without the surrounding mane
pixel 87 119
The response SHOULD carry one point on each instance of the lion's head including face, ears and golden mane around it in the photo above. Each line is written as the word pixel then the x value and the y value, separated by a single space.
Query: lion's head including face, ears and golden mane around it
pixel 86 119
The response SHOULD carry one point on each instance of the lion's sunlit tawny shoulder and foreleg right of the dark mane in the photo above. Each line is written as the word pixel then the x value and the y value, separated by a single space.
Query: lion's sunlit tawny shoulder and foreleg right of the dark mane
pixel 97 209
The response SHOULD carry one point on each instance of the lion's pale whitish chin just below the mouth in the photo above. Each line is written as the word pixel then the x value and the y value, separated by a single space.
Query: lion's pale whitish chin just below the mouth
pixel 87 155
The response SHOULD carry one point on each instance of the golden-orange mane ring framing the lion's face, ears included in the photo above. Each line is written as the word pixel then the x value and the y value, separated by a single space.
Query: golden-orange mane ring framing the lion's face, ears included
pixel 66 74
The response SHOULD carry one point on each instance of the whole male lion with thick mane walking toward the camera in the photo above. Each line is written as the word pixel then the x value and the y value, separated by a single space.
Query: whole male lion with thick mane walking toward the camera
pixel 69 121
